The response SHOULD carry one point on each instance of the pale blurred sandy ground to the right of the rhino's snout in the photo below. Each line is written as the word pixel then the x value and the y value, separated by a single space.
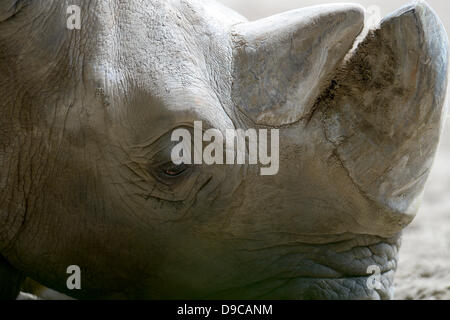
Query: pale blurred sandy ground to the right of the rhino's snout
pixel 424 266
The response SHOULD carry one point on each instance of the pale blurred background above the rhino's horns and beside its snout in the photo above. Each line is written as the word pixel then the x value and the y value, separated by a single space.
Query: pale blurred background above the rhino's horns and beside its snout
pixel 424 267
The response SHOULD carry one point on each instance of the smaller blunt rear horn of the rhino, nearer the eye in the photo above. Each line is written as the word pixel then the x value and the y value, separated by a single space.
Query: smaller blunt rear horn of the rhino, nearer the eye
pixel 283 62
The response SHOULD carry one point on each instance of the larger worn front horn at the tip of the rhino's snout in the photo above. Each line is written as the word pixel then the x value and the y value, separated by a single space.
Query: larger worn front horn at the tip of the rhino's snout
pixel 385 110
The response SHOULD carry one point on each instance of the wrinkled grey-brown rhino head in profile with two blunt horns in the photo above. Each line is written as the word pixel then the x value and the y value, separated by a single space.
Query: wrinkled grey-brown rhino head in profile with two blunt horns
pixel 87 180
